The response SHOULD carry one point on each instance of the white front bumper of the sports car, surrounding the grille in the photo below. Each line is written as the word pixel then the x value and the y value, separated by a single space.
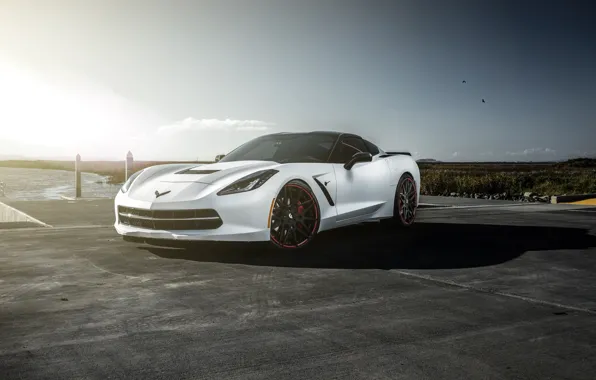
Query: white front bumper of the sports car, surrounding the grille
pixel 244 217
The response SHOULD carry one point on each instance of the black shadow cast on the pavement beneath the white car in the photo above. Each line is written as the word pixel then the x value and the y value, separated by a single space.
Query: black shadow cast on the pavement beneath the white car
pixel 373 246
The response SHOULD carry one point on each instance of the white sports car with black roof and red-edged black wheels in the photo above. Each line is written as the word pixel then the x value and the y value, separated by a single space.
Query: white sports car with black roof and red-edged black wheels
pixel 283 188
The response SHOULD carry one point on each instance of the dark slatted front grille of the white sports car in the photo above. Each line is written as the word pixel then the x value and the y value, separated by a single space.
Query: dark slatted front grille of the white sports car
pixel 203 219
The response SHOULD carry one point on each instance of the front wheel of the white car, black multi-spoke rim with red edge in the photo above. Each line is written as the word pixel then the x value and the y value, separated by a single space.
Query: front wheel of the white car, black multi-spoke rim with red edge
pixel 295 217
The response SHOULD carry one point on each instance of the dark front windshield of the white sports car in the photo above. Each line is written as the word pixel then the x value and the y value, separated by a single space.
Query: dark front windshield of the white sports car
pixel 285 148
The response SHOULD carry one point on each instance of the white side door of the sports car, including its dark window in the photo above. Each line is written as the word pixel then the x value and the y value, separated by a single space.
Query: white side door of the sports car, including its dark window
pixel 362 190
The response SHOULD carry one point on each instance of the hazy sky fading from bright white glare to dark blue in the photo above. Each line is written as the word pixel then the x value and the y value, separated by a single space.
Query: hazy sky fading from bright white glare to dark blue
pixel 187 80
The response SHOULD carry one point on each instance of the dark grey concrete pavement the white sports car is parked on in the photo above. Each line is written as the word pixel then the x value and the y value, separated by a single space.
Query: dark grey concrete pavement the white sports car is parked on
pixel 502 291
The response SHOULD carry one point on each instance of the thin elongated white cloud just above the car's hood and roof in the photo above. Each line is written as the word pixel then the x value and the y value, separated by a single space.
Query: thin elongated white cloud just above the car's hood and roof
pixel 192 124
